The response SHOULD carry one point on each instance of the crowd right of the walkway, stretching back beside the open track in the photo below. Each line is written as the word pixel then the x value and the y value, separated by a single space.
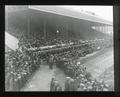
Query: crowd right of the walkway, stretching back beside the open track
pixel 78 78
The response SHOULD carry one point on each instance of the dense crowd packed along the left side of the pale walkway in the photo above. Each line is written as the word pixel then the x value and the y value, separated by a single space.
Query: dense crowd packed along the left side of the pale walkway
pixel 19 69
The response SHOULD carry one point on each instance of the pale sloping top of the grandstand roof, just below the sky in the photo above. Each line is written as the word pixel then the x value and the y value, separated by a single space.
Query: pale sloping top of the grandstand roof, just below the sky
pixel 66 12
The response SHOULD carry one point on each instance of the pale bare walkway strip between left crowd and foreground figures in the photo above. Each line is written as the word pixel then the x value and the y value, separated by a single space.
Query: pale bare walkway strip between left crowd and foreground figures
pixel 41 80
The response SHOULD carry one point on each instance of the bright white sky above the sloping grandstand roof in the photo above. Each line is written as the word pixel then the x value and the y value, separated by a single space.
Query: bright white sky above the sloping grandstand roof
pixel 105 12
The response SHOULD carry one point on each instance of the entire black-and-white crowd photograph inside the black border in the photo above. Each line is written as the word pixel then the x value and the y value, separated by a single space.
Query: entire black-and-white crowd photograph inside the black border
pixel 59 48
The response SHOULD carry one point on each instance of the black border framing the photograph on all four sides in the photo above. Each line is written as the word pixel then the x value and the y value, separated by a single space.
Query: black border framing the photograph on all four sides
pixel 116 27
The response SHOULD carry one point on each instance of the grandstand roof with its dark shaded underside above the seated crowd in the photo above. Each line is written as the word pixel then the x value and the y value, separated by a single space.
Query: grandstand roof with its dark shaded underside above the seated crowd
pixel 45 21
